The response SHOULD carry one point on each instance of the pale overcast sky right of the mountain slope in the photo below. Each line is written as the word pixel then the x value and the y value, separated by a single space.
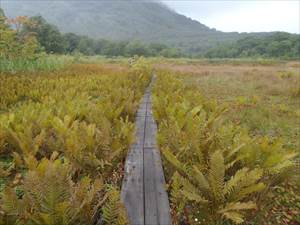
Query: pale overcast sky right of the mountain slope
pixel 242 15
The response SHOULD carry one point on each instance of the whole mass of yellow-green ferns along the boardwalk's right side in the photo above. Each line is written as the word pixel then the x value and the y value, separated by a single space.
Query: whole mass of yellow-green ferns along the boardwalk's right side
pixel 217 172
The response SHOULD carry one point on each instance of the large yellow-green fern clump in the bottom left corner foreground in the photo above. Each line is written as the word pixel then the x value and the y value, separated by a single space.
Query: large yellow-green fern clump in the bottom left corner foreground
pixel 51 197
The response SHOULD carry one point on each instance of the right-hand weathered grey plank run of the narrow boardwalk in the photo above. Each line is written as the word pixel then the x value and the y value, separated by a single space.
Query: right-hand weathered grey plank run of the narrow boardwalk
pixel 157 209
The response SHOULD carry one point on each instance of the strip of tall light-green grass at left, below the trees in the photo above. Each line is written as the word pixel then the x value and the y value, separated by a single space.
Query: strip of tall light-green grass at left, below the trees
pixel 42 62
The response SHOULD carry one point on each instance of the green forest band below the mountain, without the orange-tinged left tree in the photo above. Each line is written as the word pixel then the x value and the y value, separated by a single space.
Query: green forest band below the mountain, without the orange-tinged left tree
pixel 51 40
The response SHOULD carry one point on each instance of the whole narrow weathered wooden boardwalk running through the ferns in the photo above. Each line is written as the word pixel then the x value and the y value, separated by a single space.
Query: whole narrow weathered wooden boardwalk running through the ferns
pixel 143 188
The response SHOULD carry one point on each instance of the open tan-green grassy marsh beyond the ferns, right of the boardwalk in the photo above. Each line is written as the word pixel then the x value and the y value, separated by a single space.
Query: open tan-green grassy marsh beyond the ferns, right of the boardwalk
pixel 263 98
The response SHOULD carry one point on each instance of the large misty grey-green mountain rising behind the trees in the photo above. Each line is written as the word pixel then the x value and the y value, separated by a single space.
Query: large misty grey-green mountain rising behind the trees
pixel 147 21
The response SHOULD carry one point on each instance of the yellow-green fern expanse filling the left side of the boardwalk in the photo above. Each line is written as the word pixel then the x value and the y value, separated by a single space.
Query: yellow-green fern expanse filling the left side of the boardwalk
pixel 65 136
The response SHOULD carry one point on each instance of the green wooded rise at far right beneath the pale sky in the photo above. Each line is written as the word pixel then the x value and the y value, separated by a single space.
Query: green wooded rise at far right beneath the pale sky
pixel 276 45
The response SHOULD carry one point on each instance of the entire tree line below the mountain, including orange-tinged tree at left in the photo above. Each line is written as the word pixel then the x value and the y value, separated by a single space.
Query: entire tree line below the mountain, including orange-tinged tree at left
pixel 31 35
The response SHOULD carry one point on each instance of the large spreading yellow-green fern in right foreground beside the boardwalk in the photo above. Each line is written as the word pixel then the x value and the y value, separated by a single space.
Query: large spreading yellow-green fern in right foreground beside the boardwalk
pixel 213 199
